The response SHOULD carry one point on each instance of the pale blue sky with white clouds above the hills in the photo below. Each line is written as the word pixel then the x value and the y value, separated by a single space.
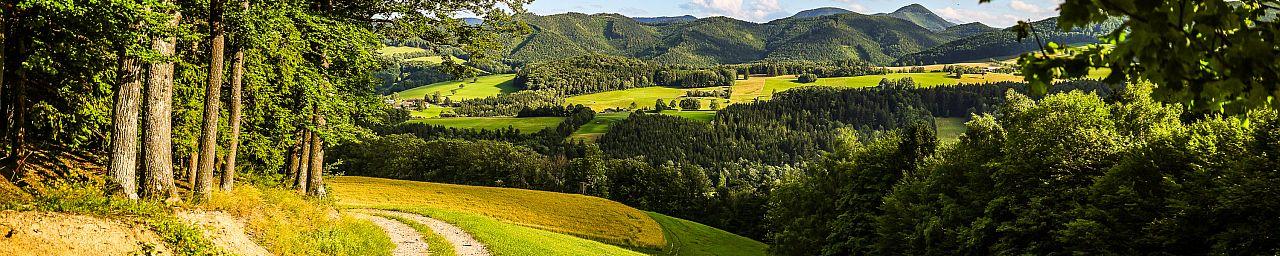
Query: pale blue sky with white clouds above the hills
pixel 998 13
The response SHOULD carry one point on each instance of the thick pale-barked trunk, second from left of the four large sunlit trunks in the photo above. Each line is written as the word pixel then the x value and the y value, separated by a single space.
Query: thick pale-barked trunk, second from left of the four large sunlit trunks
pixel 159 131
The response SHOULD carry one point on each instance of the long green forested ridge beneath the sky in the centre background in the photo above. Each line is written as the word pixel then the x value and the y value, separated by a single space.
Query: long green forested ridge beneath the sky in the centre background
pixel 719 40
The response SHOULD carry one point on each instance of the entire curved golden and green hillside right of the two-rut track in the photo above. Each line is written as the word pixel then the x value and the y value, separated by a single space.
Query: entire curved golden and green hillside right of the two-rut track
pixel 533 222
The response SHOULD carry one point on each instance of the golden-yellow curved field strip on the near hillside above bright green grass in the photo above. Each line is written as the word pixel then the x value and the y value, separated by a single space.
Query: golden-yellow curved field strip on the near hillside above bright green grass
pixel 578 216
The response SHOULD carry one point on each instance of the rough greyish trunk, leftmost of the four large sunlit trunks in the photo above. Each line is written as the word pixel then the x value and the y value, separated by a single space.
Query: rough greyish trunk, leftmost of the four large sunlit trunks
pixel 125 135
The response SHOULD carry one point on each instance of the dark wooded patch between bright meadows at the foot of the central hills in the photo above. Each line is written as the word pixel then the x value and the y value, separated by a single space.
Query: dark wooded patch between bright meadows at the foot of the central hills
pixel 600 74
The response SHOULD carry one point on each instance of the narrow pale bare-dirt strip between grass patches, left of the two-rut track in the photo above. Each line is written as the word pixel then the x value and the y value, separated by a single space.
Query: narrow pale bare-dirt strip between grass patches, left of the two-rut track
pixel 225 231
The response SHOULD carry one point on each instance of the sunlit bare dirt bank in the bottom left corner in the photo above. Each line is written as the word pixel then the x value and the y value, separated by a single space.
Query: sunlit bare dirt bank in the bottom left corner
pixel 52 234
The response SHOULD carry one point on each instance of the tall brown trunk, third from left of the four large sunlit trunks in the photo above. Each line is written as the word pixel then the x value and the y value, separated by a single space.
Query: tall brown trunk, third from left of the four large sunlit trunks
pixel 213 95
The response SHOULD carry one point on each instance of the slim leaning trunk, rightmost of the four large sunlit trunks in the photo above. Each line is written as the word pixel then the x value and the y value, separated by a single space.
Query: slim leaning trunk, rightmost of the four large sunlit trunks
pixel 237 83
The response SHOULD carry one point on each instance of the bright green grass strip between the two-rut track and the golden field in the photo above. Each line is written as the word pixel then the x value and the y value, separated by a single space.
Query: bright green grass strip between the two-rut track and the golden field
pixel 509 239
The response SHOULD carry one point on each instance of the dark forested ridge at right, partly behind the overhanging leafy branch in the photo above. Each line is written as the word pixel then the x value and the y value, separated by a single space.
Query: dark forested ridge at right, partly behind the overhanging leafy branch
pixel 1004 44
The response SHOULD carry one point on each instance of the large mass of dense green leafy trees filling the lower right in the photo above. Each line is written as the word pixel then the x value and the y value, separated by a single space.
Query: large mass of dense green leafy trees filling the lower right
pixel 1066 175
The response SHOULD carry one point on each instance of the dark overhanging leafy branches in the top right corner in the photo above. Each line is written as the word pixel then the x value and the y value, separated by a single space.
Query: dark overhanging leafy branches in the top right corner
pixel 1212 56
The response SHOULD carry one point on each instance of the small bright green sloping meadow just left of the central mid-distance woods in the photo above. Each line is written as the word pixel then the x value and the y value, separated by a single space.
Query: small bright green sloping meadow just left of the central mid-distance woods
pixel 483 88
